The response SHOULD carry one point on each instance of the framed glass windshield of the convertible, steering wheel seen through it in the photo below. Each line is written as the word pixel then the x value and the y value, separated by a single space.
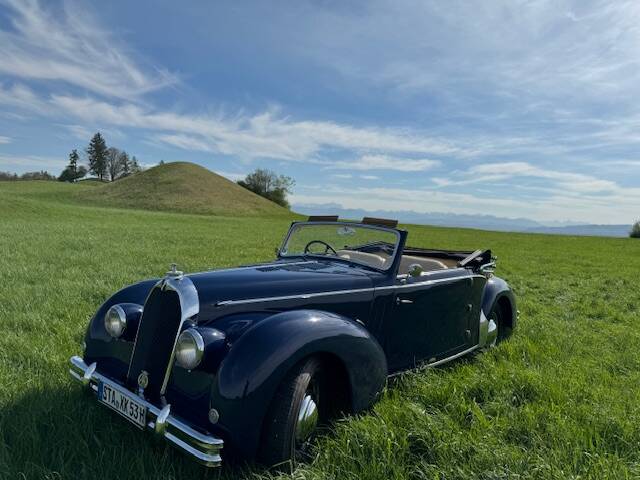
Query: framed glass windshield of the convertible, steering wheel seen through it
pixel 372 246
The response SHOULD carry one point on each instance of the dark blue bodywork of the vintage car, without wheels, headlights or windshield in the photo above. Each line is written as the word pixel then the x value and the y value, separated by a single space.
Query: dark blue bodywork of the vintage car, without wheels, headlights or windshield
pixel 259 321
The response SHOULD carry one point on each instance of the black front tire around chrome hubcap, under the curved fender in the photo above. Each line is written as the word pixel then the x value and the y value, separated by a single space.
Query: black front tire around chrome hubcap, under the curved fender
pixel 279 446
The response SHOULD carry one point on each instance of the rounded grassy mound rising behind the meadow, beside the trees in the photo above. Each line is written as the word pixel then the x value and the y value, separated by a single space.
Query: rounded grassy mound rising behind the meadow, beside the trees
pixel 181 187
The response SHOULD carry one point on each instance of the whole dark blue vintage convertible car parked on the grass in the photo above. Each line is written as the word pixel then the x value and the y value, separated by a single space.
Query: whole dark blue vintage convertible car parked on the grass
pixel 255 358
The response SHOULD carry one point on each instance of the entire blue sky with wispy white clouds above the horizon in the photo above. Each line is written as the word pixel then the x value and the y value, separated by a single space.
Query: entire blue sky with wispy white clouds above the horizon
pixel 514 108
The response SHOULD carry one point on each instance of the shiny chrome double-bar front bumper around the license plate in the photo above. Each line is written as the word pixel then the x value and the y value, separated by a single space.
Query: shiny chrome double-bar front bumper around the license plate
pixel 204 448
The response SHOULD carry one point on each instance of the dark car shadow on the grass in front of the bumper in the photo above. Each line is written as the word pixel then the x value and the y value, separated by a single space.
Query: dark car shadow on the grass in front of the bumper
pixel 65 433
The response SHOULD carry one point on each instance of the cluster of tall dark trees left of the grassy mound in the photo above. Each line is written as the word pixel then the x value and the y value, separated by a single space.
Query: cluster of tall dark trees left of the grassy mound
pixel 106 163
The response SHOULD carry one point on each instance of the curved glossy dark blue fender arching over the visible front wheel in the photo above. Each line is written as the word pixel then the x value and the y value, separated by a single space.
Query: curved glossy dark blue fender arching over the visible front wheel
pixel 259 360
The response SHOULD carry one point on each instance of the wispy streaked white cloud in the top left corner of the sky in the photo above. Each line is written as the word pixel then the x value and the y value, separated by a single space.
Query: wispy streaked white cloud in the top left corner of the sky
pixel 70 46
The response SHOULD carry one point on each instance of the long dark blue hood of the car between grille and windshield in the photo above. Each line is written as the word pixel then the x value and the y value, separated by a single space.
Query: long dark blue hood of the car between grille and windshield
pixel 278 279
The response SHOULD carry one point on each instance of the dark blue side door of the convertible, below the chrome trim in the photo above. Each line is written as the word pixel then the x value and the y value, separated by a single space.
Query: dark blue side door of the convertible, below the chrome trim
pixel 430 319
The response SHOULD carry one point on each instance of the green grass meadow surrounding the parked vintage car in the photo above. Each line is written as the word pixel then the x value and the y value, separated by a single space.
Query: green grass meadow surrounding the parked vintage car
pixel 560 400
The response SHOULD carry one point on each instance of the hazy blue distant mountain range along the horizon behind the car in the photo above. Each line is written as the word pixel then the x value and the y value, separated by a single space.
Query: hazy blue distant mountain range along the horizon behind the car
pixel 482 222
